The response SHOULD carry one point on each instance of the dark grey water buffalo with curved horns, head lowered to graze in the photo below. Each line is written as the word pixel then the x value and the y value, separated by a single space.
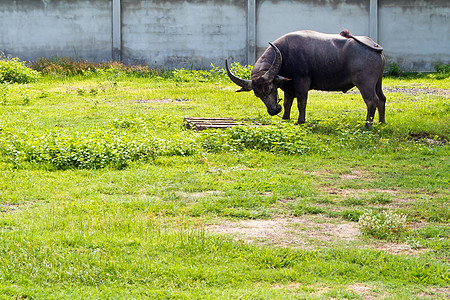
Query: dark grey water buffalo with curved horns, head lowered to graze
pixel 304 60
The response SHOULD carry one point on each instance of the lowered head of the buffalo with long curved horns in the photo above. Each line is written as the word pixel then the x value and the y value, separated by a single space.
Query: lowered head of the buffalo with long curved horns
pixel 265 86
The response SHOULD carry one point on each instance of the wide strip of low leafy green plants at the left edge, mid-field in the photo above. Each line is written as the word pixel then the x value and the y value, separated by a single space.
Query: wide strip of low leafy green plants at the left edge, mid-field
pixel 89 150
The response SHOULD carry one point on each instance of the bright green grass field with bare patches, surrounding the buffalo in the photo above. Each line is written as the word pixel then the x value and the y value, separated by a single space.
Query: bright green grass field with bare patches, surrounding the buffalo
pixel 104 194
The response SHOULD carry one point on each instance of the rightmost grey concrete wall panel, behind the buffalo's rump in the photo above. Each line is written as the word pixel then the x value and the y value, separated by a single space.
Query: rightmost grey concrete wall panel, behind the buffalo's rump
pixel 415 33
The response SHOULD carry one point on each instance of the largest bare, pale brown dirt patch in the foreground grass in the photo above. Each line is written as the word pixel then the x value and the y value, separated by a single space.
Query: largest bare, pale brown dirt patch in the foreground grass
pixel 309 232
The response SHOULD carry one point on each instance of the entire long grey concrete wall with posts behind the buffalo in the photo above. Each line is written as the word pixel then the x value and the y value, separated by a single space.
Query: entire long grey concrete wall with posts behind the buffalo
pixel 194 33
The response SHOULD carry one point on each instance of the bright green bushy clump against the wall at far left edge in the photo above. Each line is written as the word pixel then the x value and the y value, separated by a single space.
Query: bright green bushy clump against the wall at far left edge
pixel 14 71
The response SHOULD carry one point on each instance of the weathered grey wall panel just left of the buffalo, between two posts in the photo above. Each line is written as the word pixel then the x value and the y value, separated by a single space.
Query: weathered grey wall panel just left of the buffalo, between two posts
pixel 183 33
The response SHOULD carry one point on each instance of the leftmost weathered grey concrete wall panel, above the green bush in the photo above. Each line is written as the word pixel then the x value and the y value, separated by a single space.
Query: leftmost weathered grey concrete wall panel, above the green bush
pixel 31 29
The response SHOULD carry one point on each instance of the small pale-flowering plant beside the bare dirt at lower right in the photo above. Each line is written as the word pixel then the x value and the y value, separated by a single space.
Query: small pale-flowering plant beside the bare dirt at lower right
pixel 384 225
